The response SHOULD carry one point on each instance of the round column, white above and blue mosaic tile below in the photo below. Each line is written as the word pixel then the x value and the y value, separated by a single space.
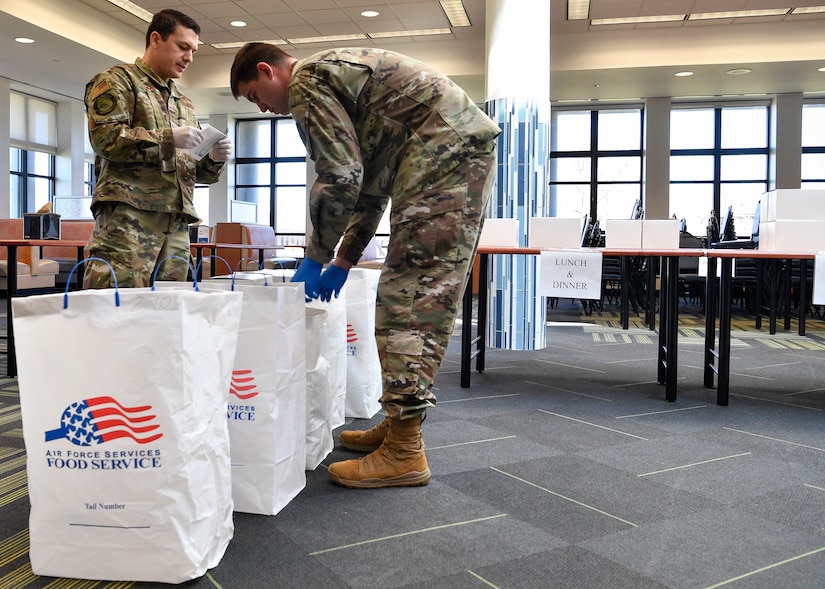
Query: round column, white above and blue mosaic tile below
pixel 518 100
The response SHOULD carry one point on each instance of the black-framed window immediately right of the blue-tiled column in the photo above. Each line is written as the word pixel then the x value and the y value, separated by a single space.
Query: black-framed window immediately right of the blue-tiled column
pixel 595 162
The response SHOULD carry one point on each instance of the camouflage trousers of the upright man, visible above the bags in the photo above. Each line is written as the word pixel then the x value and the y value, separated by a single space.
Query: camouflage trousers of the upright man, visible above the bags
pixel 133 242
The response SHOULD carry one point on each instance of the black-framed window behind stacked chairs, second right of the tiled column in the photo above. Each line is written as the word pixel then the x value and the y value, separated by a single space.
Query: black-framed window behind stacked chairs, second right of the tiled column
pixel 718 159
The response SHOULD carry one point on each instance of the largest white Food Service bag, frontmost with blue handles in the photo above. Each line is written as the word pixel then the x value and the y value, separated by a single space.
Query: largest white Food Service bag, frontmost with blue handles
pixel 125 431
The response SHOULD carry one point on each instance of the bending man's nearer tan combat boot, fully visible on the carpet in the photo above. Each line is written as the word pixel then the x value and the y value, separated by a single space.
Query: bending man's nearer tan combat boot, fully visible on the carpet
pixel 399 462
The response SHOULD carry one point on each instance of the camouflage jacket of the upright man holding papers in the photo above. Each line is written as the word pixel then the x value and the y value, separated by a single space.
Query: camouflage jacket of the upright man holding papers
pixel 131 114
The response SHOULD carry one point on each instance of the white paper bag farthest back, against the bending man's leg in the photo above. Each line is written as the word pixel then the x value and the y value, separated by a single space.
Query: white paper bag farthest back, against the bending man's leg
pixel 363 366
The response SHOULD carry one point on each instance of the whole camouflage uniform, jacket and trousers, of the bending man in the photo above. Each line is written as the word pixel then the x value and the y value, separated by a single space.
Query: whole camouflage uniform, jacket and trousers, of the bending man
pixel 384 128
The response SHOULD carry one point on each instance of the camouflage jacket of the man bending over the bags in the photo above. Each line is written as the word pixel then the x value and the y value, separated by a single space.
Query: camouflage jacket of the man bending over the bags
pixel 380 127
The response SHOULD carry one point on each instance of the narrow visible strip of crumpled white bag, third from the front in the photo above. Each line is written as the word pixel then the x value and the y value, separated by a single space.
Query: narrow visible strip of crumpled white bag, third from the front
pixel 319 442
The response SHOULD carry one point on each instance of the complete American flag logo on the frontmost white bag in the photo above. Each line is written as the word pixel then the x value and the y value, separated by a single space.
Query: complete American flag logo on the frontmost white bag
pixel 102 419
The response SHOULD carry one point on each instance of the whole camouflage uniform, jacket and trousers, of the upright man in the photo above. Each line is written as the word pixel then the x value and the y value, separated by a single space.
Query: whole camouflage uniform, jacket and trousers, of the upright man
pixel 142 201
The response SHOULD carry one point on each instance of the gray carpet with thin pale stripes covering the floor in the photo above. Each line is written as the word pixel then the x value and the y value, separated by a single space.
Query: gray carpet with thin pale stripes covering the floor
pixel 558 468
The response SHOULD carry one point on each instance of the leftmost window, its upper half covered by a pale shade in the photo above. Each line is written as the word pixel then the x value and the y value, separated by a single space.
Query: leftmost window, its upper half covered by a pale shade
pixel 33 138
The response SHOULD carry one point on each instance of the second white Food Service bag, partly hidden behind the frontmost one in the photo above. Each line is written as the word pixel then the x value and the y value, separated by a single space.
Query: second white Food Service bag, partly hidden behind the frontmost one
pixel 267 402
